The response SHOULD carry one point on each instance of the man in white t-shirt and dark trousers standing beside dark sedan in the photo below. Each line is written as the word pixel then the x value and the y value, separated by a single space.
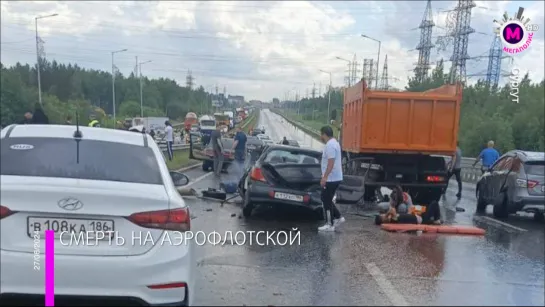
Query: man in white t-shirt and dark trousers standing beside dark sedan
pixel 332 175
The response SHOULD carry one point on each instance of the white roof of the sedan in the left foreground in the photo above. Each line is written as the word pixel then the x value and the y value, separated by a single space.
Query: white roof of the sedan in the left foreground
pixel 67 131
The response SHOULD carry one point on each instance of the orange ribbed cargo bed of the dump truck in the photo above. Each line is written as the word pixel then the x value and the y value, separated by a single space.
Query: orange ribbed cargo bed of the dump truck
pixel 401 122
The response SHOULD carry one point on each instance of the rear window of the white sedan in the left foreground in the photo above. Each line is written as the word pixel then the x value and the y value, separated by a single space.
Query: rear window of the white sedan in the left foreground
pixel 98 160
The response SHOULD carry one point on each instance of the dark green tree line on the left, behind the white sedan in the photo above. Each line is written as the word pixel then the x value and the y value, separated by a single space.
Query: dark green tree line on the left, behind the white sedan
pixel 67 88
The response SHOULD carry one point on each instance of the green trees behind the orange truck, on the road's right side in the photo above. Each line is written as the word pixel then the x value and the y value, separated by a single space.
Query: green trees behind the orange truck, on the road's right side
pixel 487 113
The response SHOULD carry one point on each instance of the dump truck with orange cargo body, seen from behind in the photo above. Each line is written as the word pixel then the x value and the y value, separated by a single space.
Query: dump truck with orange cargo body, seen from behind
pixel 396 138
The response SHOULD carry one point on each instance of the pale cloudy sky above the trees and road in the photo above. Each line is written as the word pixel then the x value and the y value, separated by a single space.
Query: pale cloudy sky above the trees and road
pixel 257 49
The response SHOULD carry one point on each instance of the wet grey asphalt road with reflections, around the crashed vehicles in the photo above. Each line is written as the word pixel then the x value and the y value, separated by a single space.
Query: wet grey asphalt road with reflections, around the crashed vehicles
pixel 361 264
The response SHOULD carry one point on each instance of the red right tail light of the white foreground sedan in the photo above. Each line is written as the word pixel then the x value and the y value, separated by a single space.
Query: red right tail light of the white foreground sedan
pixel 175 219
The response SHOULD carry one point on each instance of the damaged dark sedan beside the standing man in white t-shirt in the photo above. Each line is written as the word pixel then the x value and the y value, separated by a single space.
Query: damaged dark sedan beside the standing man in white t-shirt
pixel 283 176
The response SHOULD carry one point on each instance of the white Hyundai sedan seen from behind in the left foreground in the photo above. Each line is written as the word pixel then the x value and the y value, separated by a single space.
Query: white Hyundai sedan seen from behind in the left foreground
pixel 108 187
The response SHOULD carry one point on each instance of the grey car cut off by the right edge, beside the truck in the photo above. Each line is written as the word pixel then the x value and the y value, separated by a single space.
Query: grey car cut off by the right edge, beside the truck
pixel 514 183
